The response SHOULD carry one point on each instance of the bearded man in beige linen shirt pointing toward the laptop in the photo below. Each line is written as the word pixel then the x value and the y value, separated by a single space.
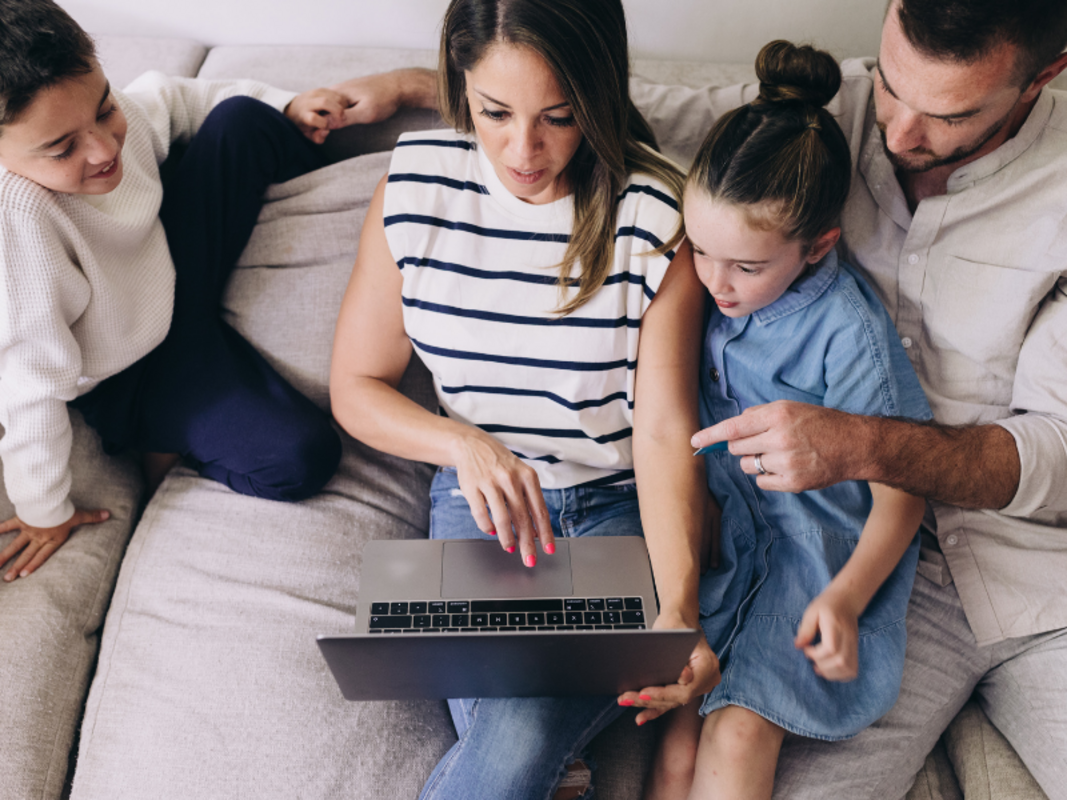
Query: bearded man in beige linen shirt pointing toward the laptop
pixel 959 217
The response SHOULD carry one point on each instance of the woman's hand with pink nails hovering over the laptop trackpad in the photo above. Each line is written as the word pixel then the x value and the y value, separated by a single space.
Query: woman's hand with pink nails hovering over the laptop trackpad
pixel 504 495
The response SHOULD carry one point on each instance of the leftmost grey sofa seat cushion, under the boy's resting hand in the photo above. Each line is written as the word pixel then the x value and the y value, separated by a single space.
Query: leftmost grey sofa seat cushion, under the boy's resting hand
pixel 51 623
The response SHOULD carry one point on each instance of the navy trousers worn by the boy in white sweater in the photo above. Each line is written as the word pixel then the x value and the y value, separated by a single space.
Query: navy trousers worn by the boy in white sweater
pixel 205 393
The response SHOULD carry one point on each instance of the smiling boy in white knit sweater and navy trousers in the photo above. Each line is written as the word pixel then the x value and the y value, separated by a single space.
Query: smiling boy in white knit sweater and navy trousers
pixel 110 286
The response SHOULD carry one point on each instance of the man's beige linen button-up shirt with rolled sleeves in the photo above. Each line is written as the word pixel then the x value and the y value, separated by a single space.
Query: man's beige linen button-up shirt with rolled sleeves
pixel 977 284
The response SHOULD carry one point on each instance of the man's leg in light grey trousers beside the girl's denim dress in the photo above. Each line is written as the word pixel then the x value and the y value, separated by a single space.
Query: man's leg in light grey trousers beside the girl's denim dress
pixel 942 669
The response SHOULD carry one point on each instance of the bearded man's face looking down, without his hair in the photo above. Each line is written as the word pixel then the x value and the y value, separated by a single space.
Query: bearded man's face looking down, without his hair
pixel 933 113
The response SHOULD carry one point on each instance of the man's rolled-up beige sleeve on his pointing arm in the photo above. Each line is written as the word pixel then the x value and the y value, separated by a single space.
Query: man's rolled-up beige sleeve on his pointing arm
pixel 1040 426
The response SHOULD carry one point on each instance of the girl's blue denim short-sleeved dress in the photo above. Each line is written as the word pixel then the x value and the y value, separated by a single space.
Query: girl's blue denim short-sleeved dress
pixel 829 342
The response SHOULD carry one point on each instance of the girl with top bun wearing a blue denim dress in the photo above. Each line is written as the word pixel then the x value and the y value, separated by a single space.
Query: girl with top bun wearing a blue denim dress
pixel 807 609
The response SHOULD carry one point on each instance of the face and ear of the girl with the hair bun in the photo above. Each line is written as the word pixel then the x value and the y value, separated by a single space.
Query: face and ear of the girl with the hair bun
pixel 744 268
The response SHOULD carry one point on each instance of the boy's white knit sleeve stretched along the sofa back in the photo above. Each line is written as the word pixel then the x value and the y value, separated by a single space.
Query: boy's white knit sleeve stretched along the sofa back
pixel 178 107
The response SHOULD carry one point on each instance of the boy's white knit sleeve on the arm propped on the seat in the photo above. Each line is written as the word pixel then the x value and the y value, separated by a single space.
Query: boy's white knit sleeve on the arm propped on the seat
pixel 40 366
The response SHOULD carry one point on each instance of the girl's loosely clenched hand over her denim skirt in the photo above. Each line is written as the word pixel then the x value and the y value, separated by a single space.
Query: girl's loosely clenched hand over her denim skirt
pixel 837 655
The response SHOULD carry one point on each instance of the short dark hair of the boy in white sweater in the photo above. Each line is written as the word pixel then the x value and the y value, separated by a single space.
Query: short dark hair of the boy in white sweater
pixel 40 46
